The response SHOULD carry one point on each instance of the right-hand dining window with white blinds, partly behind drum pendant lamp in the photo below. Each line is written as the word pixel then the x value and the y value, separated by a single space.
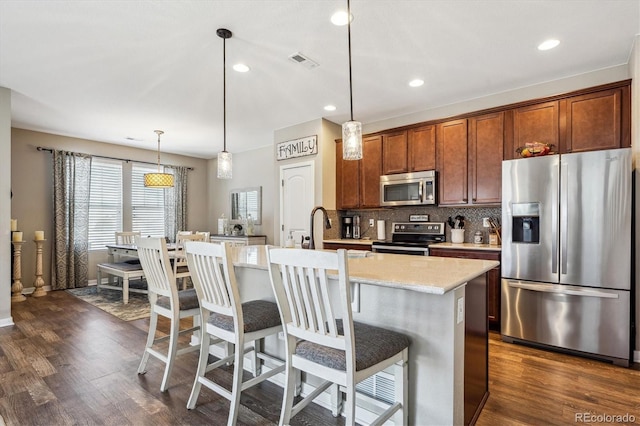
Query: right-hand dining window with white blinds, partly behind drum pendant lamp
pixel 147 204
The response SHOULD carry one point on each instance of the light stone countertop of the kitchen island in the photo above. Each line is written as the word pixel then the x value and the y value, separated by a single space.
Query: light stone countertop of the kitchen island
pixel 424 274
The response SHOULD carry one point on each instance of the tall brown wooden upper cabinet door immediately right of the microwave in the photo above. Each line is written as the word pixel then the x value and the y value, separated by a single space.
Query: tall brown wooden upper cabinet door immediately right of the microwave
pixel 452 160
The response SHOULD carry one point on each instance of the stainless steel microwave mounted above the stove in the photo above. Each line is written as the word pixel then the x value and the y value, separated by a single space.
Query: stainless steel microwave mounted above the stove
pixel 408 189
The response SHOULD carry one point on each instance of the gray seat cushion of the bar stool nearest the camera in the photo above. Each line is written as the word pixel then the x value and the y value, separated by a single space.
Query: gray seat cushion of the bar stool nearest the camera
pixel 373 345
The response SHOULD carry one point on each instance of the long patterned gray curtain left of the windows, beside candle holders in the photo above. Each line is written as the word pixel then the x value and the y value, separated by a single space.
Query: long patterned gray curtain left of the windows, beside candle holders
pixel 71 187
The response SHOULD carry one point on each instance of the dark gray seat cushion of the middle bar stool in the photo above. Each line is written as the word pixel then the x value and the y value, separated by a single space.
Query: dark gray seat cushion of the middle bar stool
pixel 257 315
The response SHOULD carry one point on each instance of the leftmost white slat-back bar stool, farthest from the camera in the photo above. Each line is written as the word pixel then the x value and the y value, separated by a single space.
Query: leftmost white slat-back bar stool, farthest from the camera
pixel 165 300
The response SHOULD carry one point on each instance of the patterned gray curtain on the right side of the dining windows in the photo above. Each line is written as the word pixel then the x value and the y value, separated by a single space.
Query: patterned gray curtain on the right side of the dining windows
pixel 175 202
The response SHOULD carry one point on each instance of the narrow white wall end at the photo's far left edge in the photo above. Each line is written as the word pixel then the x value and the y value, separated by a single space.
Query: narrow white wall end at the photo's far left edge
pixel 5 208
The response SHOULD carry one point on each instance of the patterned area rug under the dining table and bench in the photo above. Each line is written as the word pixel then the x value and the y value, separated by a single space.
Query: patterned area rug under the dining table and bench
pixel 111 301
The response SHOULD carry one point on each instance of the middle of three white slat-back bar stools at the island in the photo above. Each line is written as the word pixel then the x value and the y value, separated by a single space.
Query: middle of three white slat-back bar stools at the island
pixel 226 319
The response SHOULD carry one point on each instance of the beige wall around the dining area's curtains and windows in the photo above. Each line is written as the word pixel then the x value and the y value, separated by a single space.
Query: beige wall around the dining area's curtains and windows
pixel 32 184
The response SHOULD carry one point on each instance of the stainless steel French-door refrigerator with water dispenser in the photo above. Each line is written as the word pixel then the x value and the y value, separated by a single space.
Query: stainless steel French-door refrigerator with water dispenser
pixel 566 252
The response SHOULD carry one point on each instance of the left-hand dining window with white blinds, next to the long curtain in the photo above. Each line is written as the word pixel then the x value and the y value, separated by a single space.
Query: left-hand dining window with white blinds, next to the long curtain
pixel 105 202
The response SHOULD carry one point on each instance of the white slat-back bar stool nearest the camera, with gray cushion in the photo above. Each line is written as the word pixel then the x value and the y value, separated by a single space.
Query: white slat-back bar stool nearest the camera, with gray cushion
pixel 321 337
